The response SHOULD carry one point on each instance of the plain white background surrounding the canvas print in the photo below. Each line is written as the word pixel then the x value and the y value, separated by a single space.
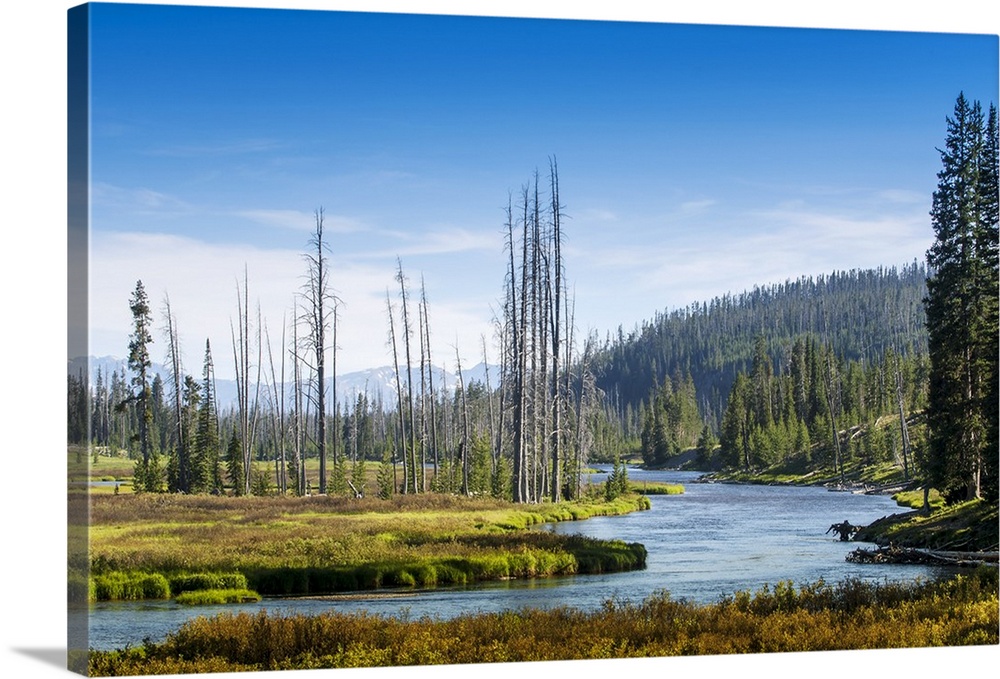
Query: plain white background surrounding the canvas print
pixel 33 329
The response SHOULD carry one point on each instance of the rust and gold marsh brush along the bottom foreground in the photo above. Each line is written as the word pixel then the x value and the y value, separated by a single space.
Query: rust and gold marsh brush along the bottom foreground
pixel 816 617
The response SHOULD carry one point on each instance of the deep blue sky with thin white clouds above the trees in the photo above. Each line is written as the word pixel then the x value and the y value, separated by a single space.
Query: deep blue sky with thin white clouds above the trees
pixel 694 160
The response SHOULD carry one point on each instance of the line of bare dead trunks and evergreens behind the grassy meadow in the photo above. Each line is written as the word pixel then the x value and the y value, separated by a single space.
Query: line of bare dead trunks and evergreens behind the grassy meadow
pixel 520 434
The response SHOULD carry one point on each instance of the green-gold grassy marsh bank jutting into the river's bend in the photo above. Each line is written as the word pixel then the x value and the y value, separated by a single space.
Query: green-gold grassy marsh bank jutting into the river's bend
pixel 285 545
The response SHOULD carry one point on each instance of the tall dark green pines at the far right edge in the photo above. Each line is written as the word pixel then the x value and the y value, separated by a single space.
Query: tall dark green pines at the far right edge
pixel 961 307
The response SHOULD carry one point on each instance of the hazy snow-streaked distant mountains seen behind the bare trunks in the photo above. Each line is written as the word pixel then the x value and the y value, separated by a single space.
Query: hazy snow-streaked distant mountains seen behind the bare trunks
pixel 373 381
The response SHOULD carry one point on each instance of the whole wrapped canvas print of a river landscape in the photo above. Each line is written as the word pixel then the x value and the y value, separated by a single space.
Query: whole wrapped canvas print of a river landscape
pixel 412 339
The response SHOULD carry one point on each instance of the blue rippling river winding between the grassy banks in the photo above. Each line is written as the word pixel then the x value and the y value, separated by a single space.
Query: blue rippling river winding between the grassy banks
pixel 713 540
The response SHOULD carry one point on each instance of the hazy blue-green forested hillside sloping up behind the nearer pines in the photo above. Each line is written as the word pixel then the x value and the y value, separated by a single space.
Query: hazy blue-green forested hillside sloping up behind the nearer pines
pixel 859 313
